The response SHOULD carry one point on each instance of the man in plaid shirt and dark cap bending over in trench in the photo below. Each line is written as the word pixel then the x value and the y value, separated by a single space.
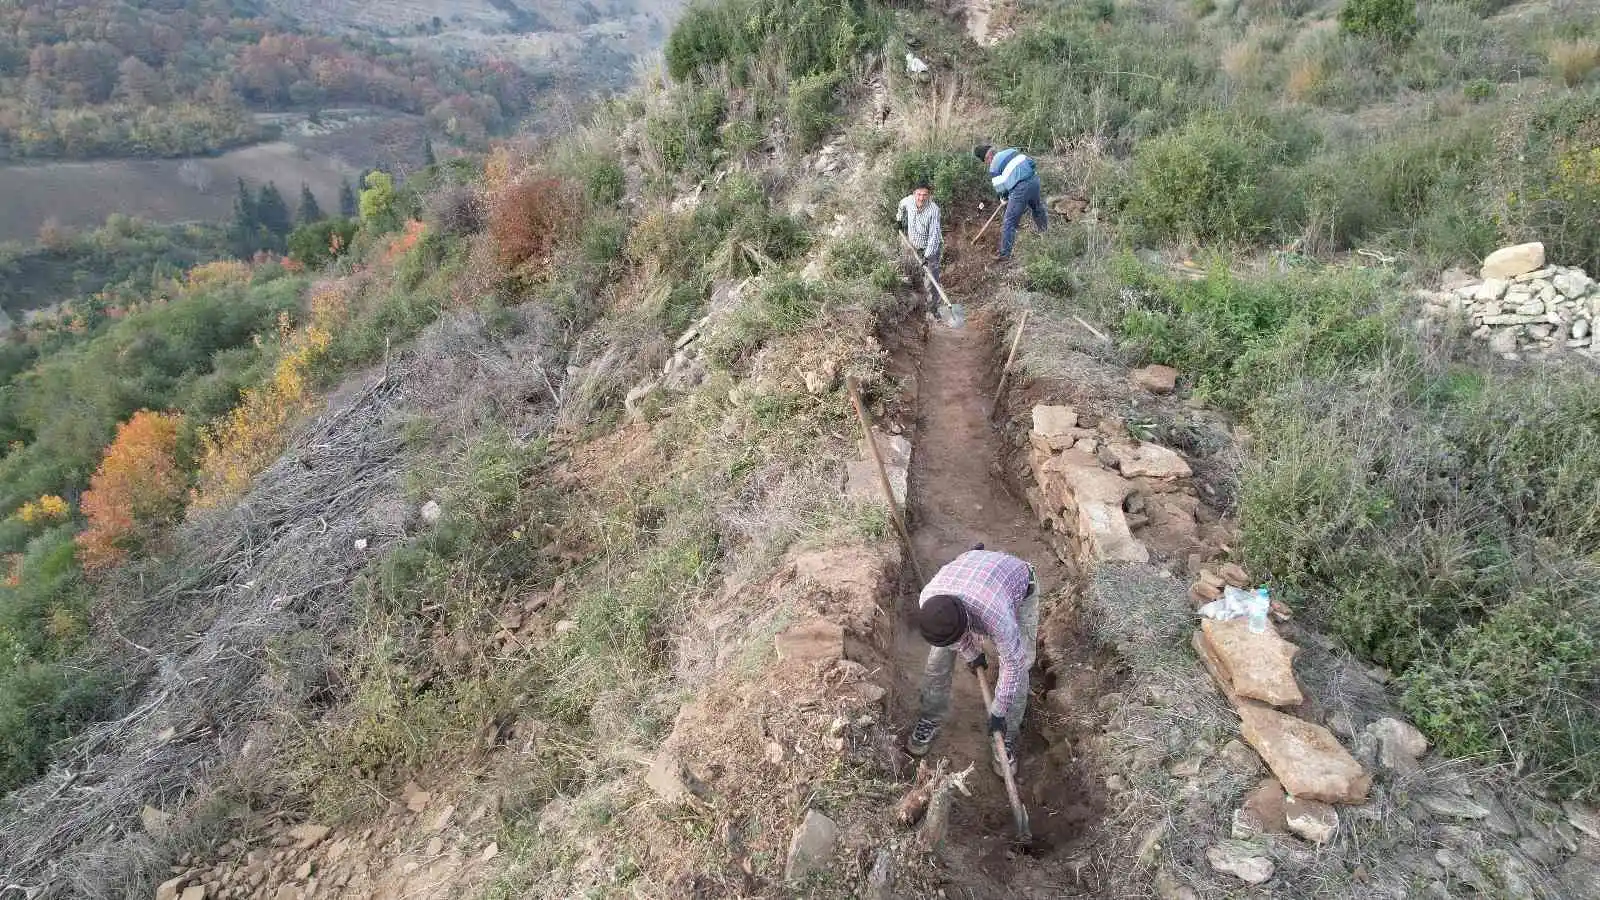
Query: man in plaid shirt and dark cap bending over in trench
pixel 978 595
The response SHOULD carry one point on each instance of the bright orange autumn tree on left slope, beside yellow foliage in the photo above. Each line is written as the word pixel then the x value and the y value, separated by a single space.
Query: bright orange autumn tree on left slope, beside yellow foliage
pixel 137 488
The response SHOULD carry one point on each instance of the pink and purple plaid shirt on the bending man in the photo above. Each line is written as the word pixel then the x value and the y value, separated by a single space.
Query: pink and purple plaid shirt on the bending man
pixel 991 585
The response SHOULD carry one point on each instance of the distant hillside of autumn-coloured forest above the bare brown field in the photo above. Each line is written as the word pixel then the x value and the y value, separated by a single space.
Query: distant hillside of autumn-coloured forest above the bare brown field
pixel 86 79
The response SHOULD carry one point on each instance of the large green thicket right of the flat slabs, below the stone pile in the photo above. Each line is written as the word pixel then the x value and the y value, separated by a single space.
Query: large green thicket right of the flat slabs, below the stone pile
pixel 1442 521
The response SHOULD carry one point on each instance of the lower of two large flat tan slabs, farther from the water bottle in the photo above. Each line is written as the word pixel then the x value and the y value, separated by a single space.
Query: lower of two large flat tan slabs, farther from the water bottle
pixel 1306 758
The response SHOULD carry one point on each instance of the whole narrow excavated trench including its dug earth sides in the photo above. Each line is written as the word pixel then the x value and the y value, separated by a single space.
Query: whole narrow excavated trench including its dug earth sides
pixel 959 497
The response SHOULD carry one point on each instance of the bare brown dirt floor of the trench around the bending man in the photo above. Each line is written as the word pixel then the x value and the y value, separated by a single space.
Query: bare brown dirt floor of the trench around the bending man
pixel 959 499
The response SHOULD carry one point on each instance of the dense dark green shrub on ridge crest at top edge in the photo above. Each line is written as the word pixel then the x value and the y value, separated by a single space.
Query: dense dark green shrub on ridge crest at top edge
pixel 806 38
